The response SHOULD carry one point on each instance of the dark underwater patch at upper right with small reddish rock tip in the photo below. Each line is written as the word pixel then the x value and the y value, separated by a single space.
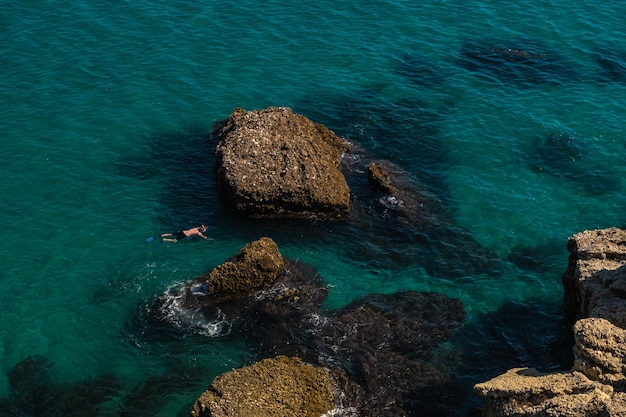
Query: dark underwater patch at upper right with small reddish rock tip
pixel 517 62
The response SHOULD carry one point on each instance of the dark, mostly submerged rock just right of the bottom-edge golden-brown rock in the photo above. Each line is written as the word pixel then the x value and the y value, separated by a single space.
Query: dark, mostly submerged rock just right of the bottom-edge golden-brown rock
pixel 385 343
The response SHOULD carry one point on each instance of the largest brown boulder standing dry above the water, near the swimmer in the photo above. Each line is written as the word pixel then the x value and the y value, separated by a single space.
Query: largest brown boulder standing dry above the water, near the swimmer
pixel 274 163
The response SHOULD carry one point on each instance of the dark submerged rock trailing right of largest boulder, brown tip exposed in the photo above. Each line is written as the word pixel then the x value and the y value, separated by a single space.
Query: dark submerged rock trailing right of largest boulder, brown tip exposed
pixel 427 233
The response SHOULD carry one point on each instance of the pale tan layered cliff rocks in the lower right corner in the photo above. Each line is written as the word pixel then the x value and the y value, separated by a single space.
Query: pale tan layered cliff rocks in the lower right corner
pixel 595 298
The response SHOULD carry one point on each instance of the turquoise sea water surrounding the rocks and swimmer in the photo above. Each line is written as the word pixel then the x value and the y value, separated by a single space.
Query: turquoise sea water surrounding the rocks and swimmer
pixel 105 114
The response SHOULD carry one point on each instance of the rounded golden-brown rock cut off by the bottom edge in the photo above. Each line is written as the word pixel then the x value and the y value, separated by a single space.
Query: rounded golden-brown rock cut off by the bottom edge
pixel 274 387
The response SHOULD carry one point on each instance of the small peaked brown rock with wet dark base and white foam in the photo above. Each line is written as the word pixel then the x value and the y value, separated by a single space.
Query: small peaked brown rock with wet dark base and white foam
pixel 255 286
